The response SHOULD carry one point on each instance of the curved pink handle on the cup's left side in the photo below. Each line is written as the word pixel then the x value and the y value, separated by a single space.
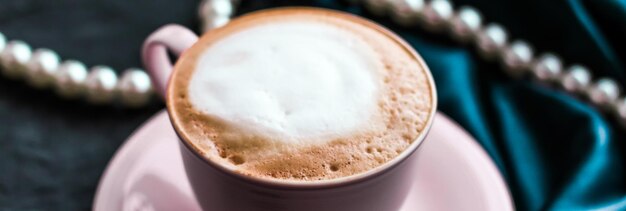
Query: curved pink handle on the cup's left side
pixel 172 37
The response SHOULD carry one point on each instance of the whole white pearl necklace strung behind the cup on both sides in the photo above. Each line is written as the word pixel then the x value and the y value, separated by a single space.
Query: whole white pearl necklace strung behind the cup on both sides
pixel 101 85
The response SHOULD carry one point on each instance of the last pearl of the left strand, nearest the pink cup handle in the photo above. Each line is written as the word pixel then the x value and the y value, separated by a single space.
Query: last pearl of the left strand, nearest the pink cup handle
pixel 135 87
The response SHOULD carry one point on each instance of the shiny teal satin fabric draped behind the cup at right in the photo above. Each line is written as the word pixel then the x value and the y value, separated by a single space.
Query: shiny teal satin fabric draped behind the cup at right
pixel 555 151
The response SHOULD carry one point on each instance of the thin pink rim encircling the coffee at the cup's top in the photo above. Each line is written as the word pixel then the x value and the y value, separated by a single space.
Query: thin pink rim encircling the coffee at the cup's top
pixel 316 184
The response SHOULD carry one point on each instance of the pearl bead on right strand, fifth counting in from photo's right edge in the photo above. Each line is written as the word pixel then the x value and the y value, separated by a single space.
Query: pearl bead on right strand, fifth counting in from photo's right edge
pixel 517 56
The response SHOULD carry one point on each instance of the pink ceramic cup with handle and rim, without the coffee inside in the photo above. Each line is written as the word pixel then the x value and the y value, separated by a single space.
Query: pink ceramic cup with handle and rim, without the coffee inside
pixel 217 188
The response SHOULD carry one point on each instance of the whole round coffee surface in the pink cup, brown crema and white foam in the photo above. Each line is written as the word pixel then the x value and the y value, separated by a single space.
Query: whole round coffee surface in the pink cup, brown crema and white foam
pixel 300 95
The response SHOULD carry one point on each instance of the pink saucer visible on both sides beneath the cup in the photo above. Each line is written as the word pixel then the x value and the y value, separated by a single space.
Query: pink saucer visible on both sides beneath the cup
pixel 455 173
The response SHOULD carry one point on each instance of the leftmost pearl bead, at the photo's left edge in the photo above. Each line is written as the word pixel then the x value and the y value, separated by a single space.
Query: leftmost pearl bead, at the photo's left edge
pixel 14 58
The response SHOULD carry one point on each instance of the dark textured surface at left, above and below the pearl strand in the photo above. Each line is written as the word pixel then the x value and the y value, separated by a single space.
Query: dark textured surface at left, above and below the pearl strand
pixel 53 151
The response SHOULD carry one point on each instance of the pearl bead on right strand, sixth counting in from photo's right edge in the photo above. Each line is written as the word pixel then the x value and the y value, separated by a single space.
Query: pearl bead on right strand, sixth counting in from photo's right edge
pixel 491 39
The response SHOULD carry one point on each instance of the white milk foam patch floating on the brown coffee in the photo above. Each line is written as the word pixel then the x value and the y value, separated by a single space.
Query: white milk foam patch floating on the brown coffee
pixel 296 81
